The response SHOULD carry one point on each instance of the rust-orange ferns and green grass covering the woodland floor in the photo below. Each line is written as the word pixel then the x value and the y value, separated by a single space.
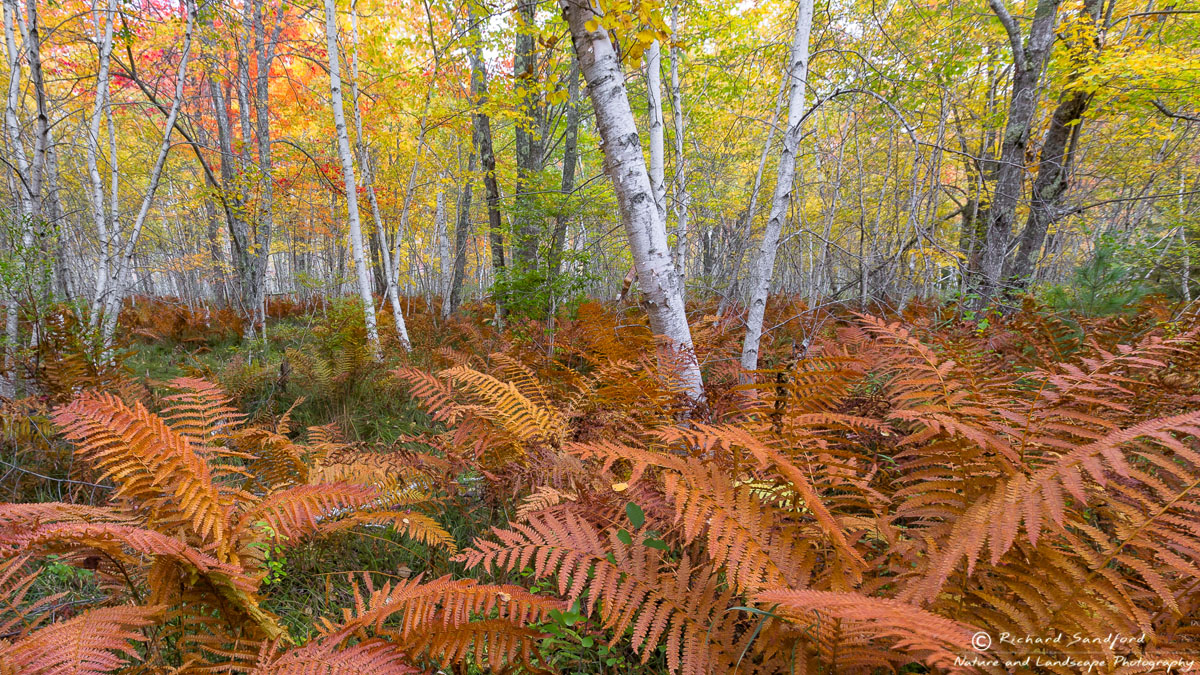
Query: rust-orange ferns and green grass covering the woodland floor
pixel 890 486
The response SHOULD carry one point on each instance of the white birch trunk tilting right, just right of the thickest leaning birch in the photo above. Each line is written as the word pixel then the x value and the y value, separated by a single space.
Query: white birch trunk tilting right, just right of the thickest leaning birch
pixel 765 264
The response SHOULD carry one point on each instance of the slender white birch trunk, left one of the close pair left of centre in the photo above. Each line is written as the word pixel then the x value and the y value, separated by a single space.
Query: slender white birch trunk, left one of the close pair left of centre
pixel 352 201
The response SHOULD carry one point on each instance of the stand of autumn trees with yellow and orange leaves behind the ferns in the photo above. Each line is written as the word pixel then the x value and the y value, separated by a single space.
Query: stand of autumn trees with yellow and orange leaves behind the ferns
pixel 926 151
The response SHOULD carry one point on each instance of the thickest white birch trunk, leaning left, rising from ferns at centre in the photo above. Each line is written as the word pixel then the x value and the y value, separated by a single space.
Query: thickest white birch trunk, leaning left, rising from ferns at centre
pixel 627 170
